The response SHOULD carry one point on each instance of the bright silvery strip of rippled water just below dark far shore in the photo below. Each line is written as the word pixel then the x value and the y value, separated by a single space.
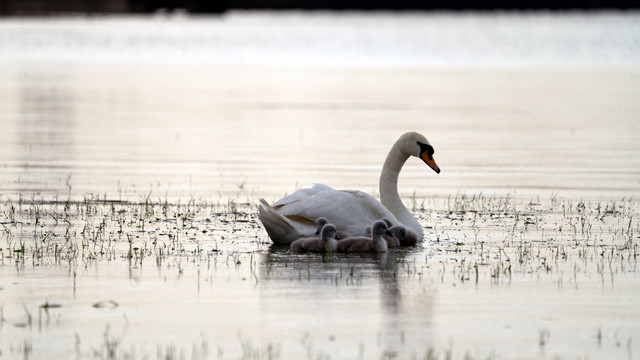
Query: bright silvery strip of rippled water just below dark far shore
pixel 334 39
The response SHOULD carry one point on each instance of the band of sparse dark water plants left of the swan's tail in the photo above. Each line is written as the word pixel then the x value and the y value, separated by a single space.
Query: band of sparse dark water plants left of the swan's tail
pixel 45 232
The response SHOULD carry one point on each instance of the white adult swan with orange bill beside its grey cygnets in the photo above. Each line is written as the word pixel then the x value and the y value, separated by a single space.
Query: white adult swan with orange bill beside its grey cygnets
pixel 349 210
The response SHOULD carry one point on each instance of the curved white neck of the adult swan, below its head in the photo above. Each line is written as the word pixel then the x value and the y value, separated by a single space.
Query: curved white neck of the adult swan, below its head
pixel 389 190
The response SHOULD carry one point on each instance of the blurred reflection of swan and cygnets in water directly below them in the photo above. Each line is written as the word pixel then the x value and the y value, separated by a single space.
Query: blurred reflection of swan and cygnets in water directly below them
pixel 341 286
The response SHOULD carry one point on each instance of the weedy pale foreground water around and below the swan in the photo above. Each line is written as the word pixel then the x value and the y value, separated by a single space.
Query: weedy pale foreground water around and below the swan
pixel 496 277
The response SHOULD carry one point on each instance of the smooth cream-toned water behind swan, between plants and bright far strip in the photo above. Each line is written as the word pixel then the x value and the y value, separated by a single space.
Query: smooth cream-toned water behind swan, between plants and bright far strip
pixel 123 131
